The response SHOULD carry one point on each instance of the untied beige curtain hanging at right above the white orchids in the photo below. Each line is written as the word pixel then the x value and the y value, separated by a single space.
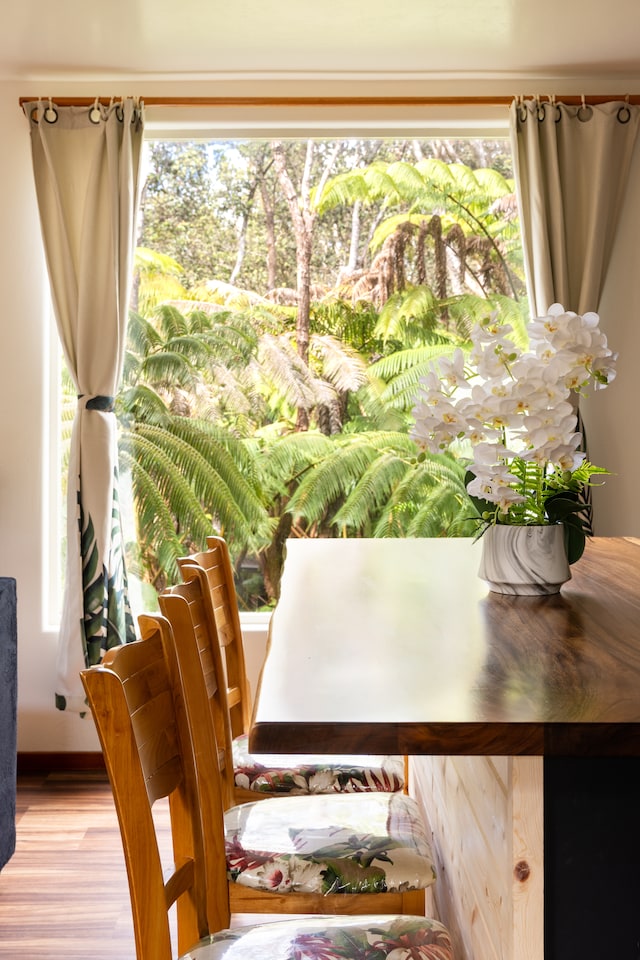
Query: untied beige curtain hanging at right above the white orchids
pixel 571 169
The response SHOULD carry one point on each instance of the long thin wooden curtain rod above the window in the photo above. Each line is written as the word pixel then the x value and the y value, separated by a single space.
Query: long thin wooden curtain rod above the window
pixel 322 101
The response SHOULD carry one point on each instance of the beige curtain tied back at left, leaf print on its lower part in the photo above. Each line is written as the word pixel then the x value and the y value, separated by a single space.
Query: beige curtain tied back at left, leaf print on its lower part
pixel 86 163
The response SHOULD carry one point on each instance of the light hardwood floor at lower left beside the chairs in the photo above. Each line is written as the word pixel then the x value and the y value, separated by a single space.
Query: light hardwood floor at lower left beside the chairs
pixel 64 893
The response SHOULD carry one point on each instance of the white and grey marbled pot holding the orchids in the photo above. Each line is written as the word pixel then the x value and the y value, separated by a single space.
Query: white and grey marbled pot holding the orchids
pixel 524 560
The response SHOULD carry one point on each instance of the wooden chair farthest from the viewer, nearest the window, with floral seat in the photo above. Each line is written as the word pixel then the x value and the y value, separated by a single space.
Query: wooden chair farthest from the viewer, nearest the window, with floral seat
pixel 257 776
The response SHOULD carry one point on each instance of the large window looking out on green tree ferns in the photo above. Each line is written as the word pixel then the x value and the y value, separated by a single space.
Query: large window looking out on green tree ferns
pixel 288 295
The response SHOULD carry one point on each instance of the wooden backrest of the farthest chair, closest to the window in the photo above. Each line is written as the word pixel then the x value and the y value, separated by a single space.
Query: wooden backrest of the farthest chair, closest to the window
pixel 213 567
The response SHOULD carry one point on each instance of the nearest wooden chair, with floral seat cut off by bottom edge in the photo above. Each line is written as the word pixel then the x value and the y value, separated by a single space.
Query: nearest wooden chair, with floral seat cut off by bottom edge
pixel 136 702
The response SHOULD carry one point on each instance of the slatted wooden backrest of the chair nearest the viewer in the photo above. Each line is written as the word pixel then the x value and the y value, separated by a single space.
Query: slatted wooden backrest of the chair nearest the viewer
pixel 136 701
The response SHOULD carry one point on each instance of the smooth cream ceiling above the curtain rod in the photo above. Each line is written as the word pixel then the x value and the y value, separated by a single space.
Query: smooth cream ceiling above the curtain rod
pixel 364 39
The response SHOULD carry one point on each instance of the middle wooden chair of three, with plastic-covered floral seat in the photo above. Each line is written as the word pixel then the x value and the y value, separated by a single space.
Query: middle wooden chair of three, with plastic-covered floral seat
pixel 337 853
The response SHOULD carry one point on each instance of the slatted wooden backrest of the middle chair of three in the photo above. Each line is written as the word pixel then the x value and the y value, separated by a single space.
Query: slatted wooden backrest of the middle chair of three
pixel 202 676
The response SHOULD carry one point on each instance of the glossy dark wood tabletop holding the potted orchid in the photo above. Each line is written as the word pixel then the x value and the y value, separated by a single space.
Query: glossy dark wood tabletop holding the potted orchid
pixel 397 646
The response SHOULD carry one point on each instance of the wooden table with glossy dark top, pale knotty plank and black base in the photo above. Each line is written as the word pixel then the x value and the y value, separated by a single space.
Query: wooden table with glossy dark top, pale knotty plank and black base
pixel 397 646
